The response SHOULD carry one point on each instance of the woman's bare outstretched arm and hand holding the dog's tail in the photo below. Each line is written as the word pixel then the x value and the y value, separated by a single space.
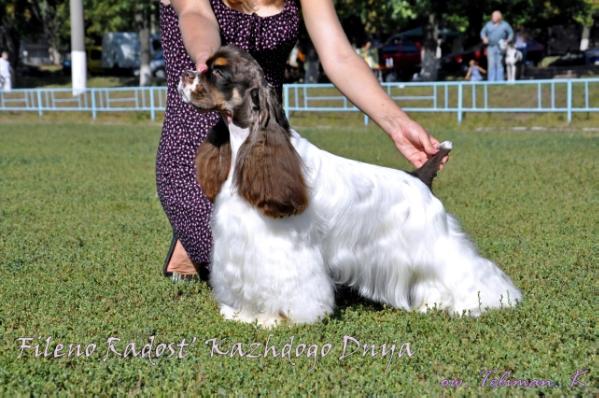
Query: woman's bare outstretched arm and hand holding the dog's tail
pixel 356 81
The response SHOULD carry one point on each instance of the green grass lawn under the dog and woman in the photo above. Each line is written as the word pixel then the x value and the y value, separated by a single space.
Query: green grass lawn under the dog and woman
pixel 82 240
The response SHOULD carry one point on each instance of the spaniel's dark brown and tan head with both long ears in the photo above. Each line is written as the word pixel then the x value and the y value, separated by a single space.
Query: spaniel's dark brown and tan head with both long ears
pixel 268 170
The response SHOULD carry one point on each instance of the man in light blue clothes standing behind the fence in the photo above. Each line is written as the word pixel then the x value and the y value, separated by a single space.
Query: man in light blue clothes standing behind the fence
pixel 496 34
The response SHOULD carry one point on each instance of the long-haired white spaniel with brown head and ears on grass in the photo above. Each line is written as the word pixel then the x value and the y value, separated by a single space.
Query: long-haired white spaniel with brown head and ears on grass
pixel 291 221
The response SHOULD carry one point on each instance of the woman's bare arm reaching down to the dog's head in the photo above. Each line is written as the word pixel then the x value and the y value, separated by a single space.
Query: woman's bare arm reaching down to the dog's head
pixel 199 29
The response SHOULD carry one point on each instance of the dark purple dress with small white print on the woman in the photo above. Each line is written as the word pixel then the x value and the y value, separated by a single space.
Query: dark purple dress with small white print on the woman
pixel 269 40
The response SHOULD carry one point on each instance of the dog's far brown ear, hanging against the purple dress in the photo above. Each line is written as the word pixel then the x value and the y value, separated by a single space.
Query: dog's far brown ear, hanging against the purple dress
pixel 213 160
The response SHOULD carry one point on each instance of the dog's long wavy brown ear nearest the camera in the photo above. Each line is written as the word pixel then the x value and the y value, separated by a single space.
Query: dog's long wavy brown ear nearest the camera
pixel 269 172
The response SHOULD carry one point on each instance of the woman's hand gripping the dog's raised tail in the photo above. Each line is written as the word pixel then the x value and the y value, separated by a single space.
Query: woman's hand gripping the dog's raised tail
pixel 415 143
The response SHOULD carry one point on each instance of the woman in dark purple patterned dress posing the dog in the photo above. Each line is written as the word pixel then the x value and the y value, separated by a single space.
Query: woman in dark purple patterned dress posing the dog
pixel 192 30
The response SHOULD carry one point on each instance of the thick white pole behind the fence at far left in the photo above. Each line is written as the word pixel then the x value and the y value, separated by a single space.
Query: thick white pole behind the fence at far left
pixel 78 59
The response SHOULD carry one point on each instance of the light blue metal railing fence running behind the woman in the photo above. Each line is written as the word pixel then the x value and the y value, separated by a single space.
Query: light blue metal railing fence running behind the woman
pixel 567 96
